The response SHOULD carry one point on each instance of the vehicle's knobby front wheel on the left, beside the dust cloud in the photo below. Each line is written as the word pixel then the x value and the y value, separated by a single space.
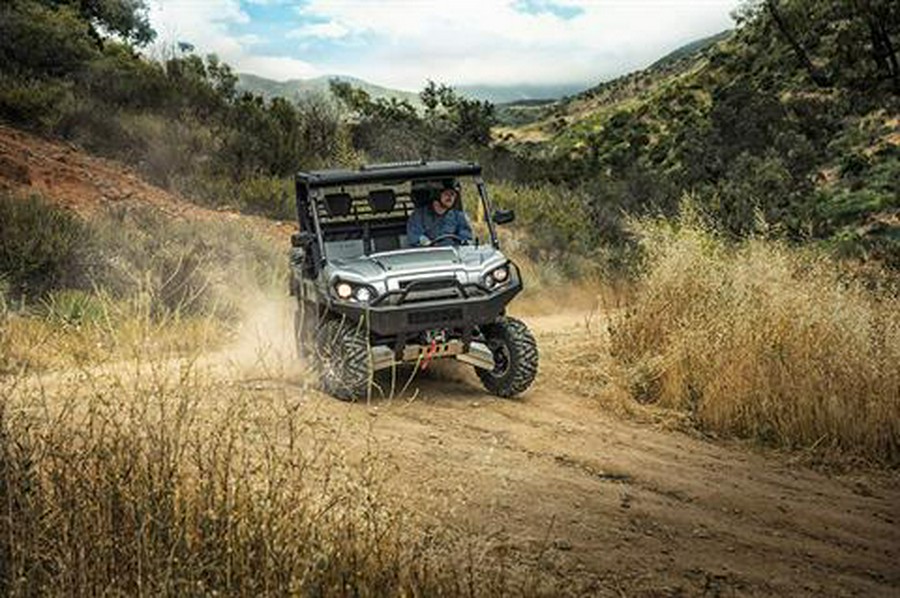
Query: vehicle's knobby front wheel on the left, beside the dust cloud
pixel 342 359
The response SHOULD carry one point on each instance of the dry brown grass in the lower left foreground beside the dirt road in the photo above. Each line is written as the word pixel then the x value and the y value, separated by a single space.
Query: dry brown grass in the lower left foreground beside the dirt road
pixel 172 478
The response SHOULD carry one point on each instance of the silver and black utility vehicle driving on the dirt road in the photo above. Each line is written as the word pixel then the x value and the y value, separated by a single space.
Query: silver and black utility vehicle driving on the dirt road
pixel 367 300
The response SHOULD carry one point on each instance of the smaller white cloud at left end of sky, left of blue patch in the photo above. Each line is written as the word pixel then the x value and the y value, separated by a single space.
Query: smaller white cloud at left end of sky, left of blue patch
pixel 205 24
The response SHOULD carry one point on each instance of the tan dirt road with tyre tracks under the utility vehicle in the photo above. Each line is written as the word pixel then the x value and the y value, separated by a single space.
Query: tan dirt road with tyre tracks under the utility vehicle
pixel 617 507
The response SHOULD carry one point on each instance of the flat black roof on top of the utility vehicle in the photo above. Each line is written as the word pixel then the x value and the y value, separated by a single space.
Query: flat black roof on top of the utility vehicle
pixel 393 172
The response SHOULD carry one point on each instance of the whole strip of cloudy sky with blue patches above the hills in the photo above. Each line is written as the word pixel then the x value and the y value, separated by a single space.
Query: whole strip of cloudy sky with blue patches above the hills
pixel 403 43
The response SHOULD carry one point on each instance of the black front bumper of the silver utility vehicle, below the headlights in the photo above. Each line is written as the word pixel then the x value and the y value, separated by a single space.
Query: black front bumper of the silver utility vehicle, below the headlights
pixel 389 320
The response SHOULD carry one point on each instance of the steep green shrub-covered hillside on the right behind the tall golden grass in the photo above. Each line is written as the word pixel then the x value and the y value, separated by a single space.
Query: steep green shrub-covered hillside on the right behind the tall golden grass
pixel 763 144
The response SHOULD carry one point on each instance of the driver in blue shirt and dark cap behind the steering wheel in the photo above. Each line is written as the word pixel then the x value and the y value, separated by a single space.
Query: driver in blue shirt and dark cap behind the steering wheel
pixel 440 219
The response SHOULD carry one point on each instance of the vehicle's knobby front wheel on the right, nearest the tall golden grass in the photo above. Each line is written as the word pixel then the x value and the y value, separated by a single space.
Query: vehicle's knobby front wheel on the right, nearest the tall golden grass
pixel 515 357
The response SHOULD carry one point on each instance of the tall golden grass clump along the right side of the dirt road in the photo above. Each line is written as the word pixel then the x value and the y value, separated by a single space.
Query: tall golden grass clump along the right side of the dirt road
pixel 762 340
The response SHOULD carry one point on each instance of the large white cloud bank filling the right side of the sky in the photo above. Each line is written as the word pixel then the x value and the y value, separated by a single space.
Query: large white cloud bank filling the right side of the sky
pixel 490 41
